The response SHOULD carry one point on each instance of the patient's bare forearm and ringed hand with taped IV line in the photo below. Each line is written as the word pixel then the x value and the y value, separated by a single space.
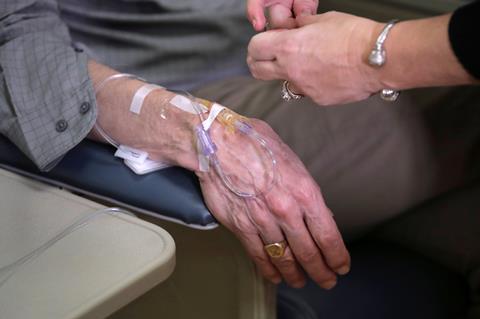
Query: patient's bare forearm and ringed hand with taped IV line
pixel 291 209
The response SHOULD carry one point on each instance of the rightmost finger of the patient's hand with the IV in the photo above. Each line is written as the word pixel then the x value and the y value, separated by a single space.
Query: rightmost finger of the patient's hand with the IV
pixel 324 230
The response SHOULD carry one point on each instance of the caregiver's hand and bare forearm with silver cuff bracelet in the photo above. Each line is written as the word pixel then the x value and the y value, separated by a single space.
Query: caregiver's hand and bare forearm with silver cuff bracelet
pixel 326 57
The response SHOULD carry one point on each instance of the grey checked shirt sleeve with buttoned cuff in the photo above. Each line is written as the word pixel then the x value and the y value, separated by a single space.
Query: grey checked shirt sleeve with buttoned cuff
pixel 47 102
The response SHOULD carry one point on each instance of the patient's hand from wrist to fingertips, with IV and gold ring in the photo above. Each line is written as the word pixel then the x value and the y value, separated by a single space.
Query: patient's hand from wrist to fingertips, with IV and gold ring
pixel 292 210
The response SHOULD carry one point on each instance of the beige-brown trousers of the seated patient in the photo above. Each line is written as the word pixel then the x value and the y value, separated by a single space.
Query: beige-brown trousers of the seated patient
pixel 376 162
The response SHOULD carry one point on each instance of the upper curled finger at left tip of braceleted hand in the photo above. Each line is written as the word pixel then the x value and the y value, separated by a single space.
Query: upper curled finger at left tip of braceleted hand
pixel 263 46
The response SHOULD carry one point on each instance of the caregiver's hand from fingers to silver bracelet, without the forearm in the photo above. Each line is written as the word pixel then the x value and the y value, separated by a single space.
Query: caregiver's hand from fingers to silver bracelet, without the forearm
pixel 325 58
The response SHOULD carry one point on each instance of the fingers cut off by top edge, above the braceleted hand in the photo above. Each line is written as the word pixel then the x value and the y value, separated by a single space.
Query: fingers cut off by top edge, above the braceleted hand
pixel 281 13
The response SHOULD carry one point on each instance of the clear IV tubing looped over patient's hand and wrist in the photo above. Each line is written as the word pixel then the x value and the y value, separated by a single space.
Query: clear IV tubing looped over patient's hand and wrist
pixel 208 147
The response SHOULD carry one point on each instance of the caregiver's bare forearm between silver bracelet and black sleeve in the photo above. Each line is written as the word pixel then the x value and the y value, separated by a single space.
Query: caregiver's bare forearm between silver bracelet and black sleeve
pixel 419 54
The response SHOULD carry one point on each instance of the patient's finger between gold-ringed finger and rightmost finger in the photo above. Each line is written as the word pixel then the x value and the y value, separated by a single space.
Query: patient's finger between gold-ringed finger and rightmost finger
pixel 308 254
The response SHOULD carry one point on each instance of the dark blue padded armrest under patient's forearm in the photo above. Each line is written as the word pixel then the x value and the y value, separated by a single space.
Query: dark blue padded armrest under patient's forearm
pixel 90 168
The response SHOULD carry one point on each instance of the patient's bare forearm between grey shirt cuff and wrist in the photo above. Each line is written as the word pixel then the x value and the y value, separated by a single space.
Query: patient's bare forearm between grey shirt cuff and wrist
pixel 162 130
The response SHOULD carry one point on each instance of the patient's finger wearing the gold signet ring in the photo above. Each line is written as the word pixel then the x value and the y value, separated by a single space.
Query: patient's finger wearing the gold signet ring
pixel 270 233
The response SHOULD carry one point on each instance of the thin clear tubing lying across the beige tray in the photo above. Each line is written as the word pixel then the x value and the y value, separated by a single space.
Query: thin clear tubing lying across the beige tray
pixel 6 272
